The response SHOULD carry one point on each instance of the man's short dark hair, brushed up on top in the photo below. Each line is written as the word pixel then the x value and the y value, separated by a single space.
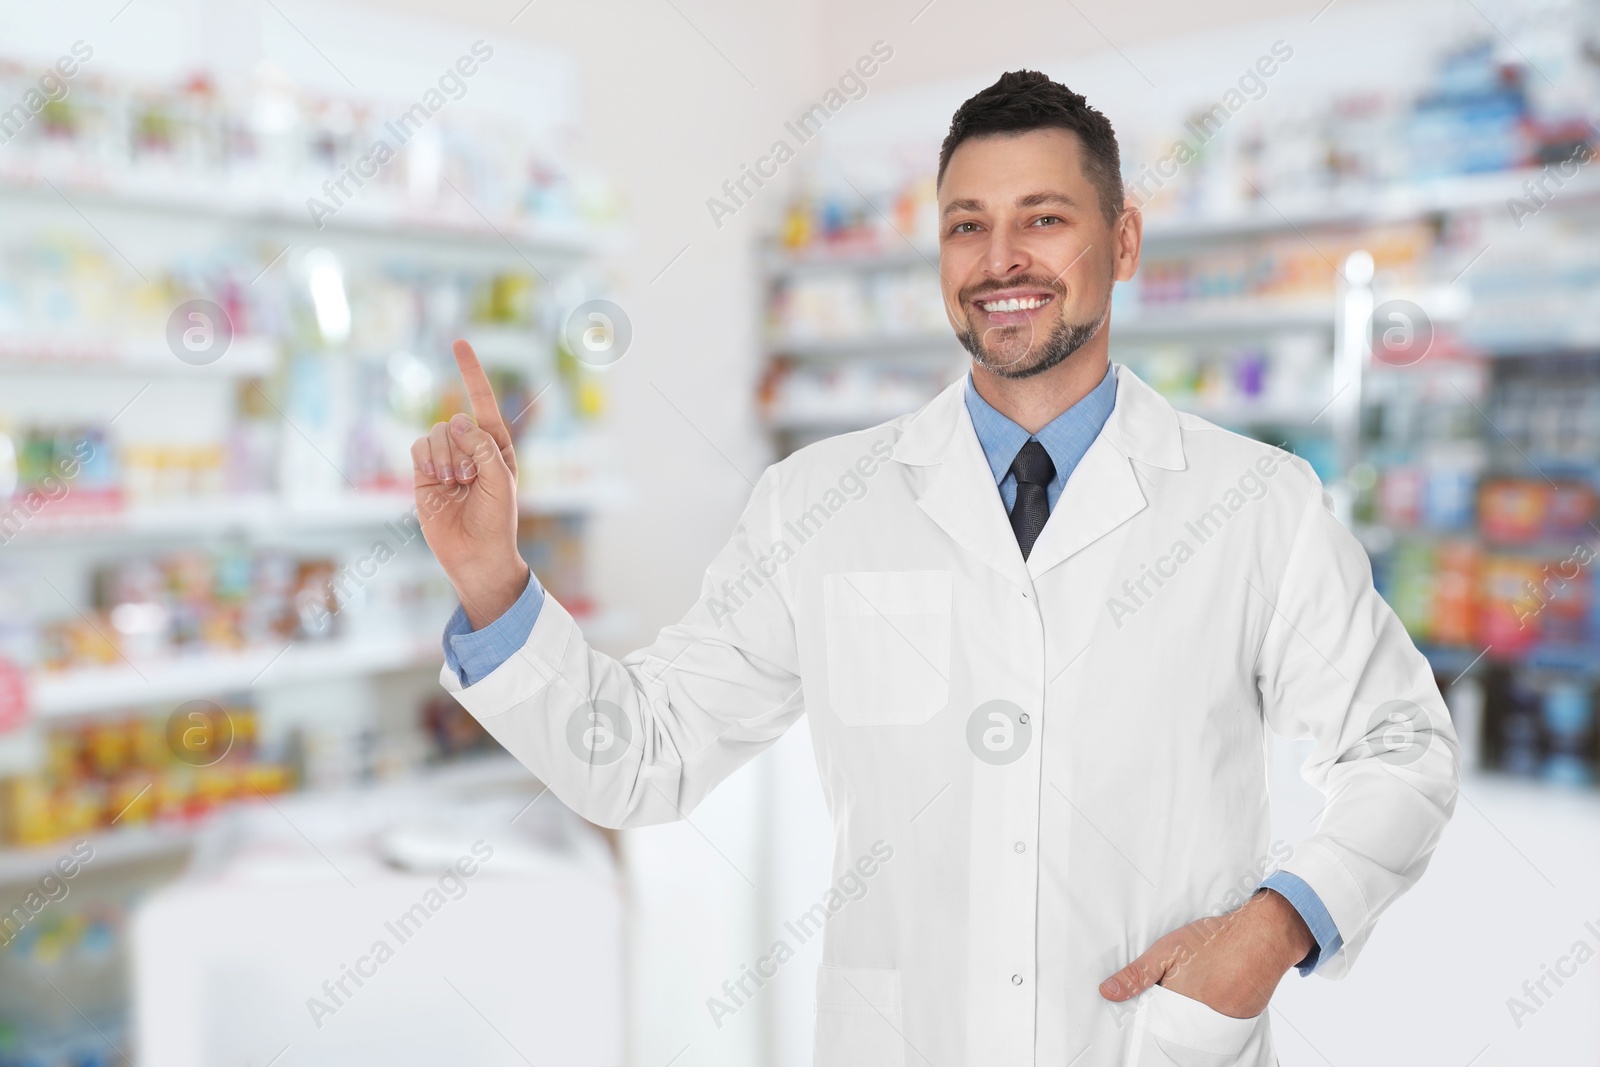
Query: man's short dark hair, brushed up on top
pixel 1026 100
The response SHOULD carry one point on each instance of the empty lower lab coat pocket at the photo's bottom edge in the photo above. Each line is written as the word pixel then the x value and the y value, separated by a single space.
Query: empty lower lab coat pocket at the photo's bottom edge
pixel 858 1018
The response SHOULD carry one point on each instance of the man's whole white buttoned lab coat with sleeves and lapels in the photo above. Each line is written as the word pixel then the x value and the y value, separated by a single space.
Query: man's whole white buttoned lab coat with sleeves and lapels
pixel 1034 769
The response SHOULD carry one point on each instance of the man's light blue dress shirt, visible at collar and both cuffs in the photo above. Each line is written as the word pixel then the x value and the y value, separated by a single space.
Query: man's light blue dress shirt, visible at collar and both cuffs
pixel 474 655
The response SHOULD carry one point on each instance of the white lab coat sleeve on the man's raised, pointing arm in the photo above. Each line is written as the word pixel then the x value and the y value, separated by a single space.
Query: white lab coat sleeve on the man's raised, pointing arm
pixel 646 738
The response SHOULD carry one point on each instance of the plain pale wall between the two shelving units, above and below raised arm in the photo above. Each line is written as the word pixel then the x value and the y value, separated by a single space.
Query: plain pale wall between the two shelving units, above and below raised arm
pixel 670 119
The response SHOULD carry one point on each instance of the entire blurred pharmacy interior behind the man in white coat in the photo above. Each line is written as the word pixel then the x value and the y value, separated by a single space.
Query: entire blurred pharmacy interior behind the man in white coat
pixel 244 825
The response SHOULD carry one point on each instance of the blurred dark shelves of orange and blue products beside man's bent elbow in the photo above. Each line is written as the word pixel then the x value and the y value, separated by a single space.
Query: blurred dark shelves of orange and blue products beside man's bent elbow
pixel 1479 506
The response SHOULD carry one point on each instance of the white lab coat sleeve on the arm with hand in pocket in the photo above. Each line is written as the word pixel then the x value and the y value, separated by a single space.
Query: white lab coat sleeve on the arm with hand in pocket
pixel 1338 668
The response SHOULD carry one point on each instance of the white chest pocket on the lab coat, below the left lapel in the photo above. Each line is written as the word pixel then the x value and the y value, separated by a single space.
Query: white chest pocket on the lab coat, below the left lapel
pixel 889 645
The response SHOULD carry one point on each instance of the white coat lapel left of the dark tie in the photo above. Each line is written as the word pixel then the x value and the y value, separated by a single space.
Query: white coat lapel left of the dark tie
pixel 959 492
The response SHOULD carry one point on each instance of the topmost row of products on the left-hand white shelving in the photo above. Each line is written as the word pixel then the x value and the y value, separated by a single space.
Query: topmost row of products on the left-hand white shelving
pixel 266 151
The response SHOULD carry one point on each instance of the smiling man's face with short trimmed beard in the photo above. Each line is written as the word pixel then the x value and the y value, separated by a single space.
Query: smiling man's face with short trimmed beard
pixel 1026 258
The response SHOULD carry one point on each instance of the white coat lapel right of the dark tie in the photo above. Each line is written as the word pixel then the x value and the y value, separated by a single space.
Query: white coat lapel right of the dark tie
pixel 1103 490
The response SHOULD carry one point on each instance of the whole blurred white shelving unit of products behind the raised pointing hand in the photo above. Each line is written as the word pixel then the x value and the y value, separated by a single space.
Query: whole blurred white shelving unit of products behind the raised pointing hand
pixel 217 348
